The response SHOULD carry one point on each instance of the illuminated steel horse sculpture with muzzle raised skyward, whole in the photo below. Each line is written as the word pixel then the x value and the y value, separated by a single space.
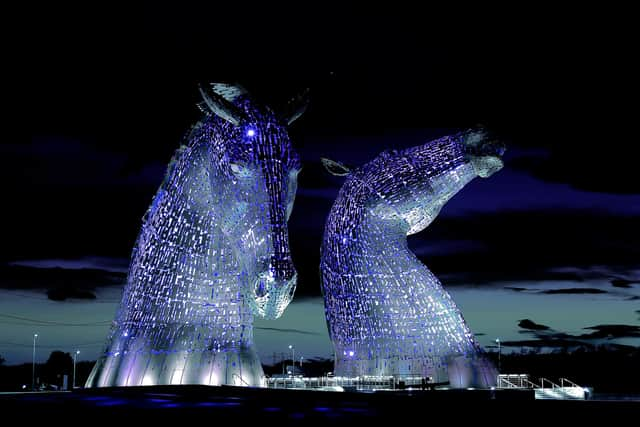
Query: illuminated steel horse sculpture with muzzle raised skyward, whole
pixel 387 314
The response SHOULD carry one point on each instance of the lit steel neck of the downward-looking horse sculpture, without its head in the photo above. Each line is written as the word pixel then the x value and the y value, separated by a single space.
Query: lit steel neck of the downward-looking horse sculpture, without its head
pixel 184 317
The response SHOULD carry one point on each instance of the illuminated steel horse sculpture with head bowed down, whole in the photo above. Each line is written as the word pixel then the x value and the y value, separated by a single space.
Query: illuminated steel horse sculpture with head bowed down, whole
pixel 212 253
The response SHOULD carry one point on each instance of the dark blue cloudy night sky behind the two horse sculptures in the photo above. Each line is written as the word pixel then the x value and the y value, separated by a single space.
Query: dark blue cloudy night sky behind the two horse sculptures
pixel 554 237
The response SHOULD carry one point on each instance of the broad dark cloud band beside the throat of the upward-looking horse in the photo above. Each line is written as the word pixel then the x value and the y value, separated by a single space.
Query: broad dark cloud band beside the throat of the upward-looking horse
pixel 546 240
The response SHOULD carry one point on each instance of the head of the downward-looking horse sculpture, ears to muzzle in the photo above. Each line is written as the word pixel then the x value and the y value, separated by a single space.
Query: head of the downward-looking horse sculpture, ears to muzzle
pixel 254 170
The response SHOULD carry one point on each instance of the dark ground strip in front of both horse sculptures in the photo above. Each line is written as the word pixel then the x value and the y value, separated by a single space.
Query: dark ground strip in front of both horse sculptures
pixel 285 407
